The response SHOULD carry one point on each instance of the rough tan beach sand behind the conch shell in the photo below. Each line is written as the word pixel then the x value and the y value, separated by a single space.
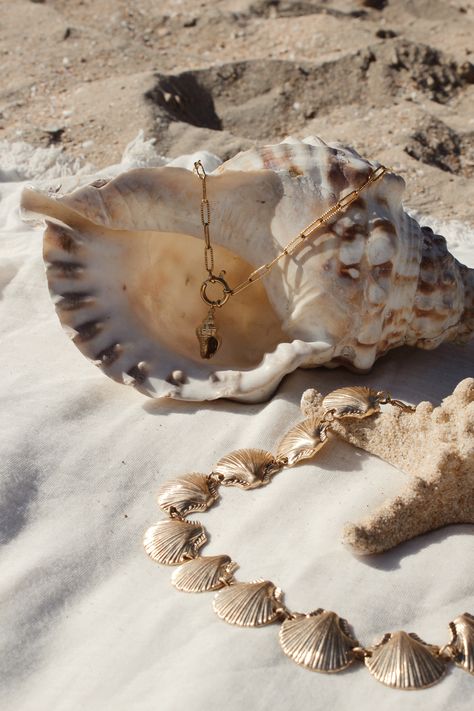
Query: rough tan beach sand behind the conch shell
pixel 395 80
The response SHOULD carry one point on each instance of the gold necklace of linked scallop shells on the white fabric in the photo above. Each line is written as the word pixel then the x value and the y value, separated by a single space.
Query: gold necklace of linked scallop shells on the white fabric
pixel 321 640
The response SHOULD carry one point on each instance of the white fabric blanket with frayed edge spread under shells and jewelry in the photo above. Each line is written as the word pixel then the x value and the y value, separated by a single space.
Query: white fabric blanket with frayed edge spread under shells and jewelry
pixel 89 622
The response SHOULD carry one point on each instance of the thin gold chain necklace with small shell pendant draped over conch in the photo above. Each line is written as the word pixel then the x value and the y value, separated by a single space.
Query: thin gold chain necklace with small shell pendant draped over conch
pixel 209 340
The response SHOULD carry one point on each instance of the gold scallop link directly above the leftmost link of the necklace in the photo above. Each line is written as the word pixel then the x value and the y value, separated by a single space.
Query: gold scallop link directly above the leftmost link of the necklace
pixel 191 492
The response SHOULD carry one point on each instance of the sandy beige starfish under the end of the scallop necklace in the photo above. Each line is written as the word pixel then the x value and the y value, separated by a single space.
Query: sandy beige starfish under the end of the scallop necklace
pixel 435 446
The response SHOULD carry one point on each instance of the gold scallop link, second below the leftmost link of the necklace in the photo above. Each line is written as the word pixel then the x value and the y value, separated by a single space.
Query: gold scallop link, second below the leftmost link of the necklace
pixel 248 604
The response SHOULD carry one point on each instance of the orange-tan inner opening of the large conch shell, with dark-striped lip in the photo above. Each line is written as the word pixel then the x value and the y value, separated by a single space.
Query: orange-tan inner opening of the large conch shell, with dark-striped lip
pixel 151 289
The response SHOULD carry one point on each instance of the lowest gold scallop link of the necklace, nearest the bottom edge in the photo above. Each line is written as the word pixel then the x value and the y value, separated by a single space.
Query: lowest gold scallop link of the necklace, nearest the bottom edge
pixel 404 661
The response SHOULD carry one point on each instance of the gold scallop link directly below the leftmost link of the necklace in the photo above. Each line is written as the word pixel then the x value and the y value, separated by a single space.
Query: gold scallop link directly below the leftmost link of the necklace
pixel 204 574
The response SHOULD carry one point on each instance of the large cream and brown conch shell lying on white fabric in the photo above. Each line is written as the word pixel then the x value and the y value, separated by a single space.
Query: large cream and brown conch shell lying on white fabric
pixel 125 266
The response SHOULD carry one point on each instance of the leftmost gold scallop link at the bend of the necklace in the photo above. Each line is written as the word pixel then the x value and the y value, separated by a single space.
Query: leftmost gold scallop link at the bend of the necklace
pixel 172 541
